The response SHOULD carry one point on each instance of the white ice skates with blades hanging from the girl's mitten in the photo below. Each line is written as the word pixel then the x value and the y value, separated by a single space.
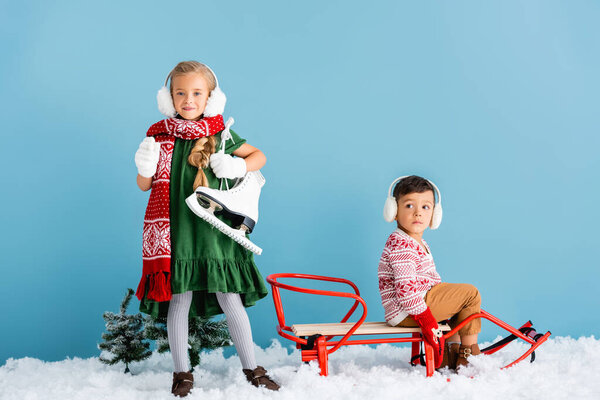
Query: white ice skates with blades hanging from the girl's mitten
pixel 239 204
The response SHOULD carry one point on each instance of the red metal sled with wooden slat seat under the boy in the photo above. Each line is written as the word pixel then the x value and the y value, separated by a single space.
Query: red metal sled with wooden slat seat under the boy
pixel 317 341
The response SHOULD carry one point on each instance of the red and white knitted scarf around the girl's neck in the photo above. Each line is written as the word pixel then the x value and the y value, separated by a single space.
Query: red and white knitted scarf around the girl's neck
pixel 157 229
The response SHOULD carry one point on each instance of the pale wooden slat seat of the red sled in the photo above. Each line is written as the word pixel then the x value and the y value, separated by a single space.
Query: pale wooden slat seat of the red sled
pixel 366 328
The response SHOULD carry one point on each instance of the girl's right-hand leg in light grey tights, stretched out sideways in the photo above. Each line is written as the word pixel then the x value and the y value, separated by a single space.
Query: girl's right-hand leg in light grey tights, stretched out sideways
pixel 239 327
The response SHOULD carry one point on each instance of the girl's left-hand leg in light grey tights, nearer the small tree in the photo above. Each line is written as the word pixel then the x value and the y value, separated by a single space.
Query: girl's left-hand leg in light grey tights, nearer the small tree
pixel 177 329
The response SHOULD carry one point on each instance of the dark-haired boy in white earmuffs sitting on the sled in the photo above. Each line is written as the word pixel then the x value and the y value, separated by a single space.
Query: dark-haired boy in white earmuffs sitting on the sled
pixel 411 290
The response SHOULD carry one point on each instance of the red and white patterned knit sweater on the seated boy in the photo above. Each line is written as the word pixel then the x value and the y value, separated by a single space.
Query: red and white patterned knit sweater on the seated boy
pixel 406 272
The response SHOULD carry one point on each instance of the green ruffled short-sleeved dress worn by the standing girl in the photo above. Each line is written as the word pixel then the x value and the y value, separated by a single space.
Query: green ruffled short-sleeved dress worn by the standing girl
pixel 203 259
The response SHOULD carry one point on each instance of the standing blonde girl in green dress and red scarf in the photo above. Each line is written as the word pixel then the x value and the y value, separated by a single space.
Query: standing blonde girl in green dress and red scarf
pixel 190 269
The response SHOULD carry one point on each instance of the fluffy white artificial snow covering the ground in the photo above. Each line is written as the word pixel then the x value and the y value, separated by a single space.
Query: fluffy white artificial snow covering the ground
pixel 564 368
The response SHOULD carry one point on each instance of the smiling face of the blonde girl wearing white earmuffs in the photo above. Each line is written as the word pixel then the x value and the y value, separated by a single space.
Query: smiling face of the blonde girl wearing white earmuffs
pixel 190 93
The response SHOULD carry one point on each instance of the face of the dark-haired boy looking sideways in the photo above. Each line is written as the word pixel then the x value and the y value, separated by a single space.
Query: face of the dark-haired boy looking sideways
pixel 415 211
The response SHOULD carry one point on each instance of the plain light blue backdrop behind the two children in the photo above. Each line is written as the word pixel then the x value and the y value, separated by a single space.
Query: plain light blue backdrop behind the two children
pixel 496 102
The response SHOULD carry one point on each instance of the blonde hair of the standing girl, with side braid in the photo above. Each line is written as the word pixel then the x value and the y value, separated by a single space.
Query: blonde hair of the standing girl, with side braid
pixel 203 147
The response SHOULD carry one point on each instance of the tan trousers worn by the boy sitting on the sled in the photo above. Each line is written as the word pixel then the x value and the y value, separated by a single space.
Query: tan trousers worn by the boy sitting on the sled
pixel 454 301
